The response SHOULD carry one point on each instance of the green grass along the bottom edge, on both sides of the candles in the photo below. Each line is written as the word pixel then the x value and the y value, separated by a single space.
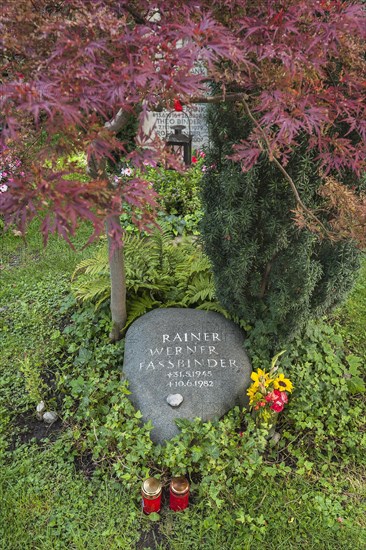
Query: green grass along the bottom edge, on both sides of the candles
pixel 45 504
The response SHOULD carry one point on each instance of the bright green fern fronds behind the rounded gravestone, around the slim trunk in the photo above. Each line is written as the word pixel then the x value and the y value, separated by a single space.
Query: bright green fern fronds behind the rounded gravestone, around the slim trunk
pixel 159 273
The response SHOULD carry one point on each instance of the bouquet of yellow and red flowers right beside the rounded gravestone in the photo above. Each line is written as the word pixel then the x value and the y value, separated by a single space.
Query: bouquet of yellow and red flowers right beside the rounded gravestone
pixel 268 394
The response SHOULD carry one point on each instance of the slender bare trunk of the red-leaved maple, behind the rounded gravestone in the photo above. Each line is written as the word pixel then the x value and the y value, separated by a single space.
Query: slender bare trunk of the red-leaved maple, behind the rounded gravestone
pixel 118 284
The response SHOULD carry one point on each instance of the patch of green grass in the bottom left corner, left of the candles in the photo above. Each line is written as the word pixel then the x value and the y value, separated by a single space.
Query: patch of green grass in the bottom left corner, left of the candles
pixel 45 504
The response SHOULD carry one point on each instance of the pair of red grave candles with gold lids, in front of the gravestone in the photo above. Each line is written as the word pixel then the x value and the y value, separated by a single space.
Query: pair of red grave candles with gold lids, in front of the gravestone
pixel 152 491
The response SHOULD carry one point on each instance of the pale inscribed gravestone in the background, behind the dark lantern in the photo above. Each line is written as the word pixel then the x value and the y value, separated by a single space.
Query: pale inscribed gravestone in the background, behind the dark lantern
pixel 155 121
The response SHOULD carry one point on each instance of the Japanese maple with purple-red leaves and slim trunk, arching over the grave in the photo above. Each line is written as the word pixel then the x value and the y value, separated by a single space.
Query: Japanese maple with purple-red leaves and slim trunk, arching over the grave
pixel 75 71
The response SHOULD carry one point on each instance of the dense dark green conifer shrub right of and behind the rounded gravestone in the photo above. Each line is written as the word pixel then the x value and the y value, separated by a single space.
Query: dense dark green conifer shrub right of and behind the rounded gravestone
pixel 267 271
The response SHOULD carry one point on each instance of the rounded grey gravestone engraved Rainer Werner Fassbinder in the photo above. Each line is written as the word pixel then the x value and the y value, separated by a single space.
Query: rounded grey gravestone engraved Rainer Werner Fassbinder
pixel 195 354
